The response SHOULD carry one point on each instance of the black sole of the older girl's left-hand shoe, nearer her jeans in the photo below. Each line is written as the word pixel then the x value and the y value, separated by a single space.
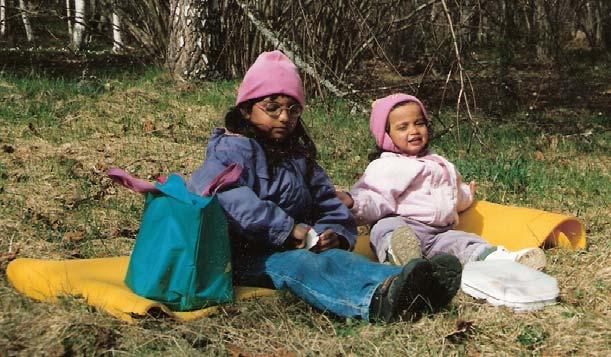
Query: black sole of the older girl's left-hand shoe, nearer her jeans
pixel 414 284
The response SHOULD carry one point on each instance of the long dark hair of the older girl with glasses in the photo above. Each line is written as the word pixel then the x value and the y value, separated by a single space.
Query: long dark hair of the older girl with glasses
pixel 297 144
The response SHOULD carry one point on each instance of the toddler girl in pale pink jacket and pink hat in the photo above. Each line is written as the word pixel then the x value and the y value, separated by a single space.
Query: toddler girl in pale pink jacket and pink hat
pixel 414 196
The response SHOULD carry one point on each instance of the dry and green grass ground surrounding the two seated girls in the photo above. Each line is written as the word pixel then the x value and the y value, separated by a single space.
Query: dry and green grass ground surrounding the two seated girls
pixel 58 136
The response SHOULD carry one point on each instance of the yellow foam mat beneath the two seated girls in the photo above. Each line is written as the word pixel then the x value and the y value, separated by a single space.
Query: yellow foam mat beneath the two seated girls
pixel 100 281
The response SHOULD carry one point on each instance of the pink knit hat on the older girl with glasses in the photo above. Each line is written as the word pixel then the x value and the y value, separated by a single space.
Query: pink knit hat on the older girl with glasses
pixel 272 73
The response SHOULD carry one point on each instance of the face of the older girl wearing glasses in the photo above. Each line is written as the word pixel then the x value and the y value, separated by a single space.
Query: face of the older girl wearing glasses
pixel 275 116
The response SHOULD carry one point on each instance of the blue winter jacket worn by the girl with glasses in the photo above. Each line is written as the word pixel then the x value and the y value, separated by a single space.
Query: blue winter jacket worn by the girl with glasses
pixel 263 209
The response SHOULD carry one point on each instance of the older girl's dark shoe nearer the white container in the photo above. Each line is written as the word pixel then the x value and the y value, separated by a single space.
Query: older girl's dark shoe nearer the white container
pixel 447 273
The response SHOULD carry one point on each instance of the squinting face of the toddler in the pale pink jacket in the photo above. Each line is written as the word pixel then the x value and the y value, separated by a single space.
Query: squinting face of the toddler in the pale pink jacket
pixel 407 128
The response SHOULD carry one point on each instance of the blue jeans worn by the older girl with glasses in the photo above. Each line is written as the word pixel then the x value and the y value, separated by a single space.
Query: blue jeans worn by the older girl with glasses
pixel 337 281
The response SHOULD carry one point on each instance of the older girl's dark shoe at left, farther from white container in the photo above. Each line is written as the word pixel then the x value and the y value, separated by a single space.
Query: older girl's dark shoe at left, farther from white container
pixel 405 295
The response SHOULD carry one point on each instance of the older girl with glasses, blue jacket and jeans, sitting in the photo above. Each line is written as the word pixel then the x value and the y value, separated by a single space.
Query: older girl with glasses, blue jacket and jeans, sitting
pixel 281 186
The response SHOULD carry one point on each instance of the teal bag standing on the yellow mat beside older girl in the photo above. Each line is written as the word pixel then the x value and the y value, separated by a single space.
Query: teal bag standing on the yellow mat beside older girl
pixel 182 255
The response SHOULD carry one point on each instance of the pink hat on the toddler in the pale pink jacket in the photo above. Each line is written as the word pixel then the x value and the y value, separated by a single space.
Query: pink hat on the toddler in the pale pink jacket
pixel 379 116
